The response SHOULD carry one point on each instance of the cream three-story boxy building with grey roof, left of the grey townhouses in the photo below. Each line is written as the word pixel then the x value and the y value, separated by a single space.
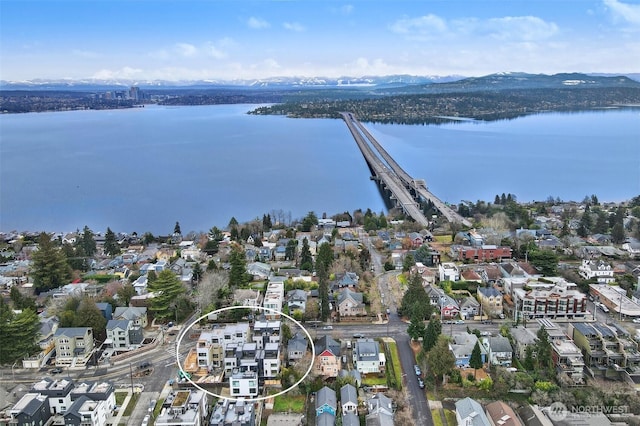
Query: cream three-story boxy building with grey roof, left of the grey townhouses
pixel 74 346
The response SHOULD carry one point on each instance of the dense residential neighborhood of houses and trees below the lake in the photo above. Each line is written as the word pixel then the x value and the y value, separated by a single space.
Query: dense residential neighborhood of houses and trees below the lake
pixel 482 326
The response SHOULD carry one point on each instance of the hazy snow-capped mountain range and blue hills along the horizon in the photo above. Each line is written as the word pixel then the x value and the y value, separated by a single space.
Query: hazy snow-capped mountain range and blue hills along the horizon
pixel 392 84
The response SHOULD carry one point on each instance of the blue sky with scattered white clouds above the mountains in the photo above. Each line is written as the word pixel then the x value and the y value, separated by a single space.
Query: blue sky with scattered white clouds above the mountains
pixel 224 39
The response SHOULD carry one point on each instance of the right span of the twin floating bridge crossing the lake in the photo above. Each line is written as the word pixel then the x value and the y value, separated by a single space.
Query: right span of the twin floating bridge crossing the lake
pixel 418 185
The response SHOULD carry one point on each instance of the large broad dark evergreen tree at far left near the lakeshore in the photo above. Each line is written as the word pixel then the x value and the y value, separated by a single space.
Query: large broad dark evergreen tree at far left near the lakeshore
pixel 49 265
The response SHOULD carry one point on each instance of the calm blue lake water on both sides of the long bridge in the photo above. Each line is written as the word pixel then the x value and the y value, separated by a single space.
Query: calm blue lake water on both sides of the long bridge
pixel 144 169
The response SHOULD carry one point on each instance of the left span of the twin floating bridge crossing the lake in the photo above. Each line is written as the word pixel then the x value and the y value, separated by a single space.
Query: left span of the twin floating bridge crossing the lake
pixel 388 177
